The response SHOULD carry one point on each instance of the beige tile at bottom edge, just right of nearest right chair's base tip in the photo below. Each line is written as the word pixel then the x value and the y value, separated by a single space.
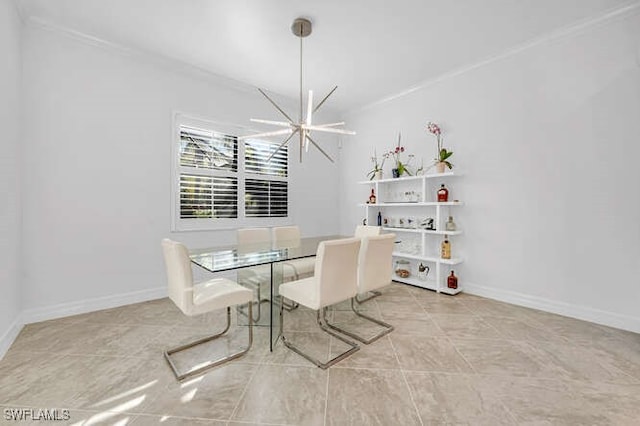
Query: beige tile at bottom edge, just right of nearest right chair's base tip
pixel 369 397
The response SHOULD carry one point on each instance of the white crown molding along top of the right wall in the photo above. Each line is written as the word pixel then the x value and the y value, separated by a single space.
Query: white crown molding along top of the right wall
pixel 577 28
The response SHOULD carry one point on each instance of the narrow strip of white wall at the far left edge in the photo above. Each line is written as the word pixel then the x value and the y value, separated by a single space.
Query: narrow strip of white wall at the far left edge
pixel 10 210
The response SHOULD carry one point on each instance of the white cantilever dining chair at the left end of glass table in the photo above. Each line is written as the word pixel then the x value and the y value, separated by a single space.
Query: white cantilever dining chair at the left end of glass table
pixel 195 299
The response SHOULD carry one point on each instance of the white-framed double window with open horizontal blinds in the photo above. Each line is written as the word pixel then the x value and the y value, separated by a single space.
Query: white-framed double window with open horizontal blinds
pixel 212 169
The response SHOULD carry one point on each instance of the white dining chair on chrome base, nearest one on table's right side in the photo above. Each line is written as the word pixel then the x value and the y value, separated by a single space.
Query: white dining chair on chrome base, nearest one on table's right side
pixel 335 280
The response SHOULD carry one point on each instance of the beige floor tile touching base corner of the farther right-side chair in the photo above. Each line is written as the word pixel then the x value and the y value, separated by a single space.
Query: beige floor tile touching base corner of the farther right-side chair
pixel 422 353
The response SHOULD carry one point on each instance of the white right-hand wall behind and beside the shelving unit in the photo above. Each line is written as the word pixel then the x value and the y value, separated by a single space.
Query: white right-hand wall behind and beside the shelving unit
pixel 548 140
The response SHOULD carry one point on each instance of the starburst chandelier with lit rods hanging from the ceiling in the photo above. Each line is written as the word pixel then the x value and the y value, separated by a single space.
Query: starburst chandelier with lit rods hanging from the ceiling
pixel 303 127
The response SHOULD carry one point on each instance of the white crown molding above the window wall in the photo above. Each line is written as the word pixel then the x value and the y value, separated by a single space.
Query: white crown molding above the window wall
pixel 161 61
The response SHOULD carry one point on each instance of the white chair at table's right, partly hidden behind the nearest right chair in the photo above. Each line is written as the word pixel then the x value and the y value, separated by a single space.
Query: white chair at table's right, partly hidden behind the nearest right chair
pixel 374 272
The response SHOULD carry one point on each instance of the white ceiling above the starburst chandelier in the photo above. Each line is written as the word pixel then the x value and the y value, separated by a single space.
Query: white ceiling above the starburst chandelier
pixel 371 49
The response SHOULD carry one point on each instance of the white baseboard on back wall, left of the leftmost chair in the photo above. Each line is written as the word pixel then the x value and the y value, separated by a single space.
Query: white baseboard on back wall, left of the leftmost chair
pixel 46 313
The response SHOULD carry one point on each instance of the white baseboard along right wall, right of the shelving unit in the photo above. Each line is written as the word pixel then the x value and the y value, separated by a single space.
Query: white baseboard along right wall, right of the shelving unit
pixel 597 316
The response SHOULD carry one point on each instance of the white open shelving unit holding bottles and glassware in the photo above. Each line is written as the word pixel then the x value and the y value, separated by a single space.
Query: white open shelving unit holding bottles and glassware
pixel 425 242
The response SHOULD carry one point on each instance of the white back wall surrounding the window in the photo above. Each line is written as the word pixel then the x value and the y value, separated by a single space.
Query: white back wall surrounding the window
pixel 97 184
